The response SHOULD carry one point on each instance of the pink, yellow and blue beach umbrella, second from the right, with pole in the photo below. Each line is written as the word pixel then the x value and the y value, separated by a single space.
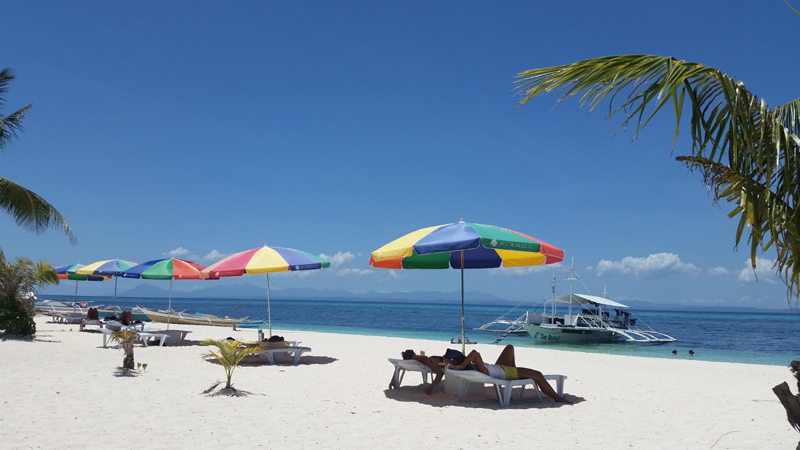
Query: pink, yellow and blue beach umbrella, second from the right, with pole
pixel 265 260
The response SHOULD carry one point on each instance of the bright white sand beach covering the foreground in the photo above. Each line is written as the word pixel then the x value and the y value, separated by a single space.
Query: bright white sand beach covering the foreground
pixel 62 390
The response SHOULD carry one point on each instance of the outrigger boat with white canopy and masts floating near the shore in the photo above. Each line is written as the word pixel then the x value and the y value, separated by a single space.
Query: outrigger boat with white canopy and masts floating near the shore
pixel 587 319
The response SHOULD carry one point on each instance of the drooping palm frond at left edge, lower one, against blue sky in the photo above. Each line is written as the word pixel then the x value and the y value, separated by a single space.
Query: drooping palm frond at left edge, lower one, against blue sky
pixel 30 211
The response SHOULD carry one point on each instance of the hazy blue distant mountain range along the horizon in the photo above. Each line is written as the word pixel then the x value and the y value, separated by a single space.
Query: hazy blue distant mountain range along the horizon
pixel 248 291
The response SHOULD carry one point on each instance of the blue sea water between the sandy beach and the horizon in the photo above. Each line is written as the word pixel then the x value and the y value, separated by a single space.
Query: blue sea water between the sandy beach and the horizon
pixel 770 339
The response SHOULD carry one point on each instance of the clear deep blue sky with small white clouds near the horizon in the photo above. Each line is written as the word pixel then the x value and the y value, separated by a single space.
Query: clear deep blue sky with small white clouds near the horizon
pixel 200 129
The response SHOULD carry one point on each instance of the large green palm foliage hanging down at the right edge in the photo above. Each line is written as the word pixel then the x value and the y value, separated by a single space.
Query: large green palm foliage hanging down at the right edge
pixel 747 152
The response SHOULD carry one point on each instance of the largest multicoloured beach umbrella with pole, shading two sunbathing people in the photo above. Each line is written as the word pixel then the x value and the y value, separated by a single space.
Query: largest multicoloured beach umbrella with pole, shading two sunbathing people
pixel 464 245
